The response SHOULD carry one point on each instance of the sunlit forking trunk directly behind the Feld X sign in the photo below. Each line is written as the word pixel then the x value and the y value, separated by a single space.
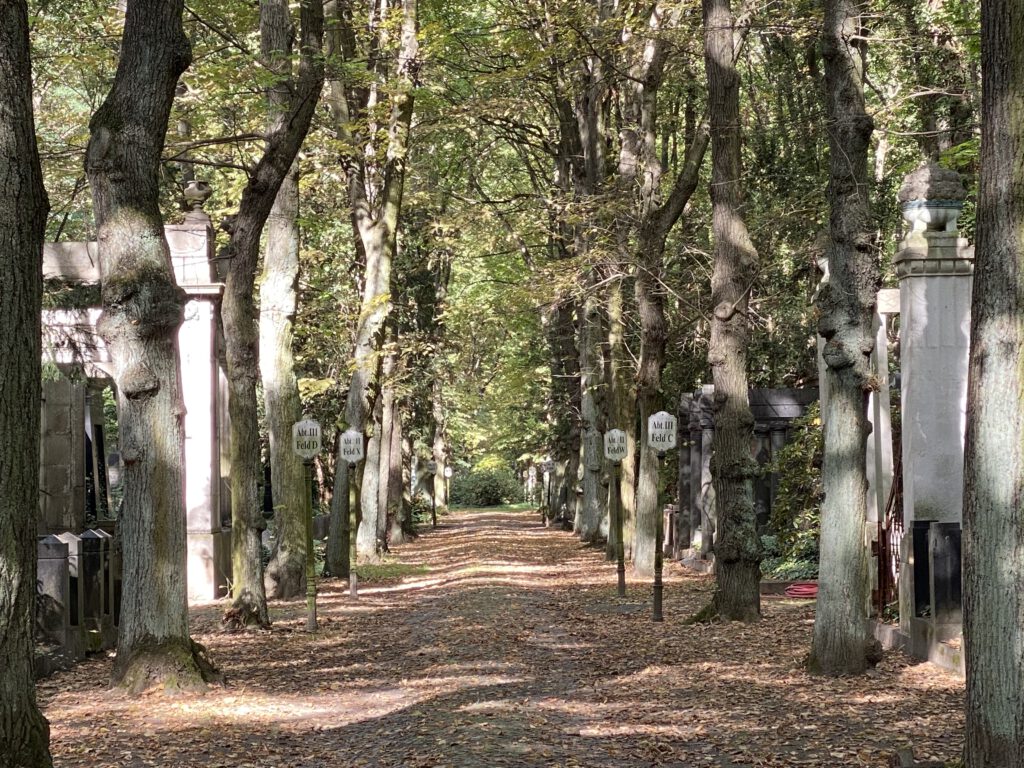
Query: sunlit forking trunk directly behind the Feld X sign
pixel 374 163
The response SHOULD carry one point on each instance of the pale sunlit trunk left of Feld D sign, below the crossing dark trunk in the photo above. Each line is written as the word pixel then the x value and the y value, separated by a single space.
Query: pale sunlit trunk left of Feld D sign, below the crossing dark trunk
pixel 285 575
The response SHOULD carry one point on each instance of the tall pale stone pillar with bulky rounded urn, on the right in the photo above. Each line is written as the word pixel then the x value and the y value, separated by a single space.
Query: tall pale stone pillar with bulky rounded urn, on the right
pixel 935 269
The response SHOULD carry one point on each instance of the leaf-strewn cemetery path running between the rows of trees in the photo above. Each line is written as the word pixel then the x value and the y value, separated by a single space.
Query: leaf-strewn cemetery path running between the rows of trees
pixel 504 645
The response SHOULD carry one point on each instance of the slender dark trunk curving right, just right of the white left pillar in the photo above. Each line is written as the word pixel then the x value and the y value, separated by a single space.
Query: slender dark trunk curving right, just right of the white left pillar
pixel 293 108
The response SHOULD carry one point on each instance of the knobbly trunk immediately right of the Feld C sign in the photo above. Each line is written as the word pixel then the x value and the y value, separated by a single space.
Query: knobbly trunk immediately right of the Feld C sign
pixel 738 549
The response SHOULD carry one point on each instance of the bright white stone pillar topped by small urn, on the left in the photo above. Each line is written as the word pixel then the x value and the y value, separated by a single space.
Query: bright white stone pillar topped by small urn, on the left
pixel 199 348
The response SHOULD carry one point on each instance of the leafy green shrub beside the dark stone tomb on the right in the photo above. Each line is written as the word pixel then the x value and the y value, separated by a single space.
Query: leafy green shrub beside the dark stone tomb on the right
pixel 792 549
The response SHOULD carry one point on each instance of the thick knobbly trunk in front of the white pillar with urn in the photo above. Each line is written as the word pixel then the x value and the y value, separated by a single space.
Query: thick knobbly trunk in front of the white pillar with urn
pixel 143 309
